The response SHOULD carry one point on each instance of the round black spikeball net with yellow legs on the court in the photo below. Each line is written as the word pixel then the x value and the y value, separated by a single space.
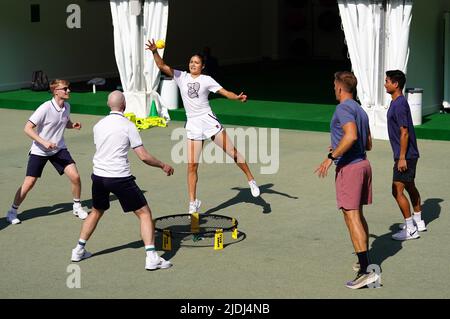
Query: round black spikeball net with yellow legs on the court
pixel 197 230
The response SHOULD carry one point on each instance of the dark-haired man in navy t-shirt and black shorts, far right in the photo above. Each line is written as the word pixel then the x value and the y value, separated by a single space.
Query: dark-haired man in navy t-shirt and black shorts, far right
pixel 404 146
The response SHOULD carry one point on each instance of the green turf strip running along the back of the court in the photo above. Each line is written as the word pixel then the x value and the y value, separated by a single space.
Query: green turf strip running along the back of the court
pixel 258 113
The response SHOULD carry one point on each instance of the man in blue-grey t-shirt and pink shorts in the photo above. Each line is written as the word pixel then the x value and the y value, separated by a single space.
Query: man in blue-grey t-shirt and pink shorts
pixel 350 139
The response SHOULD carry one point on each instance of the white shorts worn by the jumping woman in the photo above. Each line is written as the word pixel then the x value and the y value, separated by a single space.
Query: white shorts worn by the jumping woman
pixel 203 127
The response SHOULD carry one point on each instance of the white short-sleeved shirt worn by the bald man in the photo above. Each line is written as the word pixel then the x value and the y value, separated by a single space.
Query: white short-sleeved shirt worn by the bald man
pixel 114 135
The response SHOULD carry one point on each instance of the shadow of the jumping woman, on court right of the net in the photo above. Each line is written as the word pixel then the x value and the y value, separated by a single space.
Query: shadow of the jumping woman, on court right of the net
pixel 244 196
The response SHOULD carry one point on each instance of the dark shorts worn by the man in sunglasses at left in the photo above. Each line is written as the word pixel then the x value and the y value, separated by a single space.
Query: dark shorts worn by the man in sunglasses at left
pixel 60 160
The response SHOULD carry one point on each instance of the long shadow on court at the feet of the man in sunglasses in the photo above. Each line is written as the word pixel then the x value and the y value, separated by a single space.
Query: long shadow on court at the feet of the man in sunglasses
pixel 46 211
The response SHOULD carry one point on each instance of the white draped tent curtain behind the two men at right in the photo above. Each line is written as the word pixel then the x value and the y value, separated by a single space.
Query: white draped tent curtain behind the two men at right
pixel 377 34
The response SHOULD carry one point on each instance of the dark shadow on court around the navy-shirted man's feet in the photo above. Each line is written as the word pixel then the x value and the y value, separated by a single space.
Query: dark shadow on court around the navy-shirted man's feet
pixel 384 246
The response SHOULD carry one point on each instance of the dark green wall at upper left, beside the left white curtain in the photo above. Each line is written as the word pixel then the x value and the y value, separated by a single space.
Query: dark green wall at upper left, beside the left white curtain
pixel 49 45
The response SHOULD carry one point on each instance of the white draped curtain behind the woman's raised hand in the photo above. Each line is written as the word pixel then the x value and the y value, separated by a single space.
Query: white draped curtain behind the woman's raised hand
pixel 138 73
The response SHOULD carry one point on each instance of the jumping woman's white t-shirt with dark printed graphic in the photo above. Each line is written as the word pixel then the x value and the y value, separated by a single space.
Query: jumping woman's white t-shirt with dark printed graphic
pixel 194 92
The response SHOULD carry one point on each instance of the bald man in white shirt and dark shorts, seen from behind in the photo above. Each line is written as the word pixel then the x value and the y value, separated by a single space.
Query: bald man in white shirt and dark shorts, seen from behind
pixel 114 135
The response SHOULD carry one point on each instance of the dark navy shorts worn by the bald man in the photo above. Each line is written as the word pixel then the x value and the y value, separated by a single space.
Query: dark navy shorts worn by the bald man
pixel 125 188
